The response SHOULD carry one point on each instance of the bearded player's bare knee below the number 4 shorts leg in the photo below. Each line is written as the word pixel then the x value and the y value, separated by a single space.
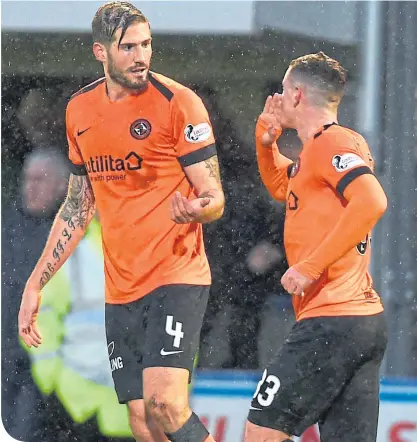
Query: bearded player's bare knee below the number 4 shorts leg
pixel 170 411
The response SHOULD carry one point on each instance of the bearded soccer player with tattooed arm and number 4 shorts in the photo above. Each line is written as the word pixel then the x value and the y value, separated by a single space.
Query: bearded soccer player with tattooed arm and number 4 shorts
pixel 143 154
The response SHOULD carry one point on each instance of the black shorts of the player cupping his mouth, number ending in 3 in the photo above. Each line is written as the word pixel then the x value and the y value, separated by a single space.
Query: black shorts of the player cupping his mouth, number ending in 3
pixel 327 371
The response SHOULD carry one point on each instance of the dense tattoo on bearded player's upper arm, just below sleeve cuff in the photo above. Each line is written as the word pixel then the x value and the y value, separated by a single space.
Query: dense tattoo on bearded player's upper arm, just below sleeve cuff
pixel 79 205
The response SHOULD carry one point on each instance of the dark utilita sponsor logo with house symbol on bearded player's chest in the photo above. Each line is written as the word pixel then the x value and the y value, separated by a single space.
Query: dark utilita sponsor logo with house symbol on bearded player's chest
pixel 108 168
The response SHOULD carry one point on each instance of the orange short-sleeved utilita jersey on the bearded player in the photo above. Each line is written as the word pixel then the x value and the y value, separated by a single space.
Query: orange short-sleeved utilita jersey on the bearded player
pixel 134 151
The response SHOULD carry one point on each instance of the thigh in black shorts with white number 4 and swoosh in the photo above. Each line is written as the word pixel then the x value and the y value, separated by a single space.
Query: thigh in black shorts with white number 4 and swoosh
pixel 175 318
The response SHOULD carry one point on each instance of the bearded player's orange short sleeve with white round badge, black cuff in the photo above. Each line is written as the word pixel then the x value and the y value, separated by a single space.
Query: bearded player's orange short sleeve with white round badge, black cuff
pixel 192 131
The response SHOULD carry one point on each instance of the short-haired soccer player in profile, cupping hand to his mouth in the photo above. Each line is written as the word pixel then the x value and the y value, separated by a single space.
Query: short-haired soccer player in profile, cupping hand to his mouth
pixel 327 371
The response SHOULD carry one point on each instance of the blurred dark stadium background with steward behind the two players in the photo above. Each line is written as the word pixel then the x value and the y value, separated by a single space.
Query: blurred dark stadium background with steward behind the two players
pixel 233 54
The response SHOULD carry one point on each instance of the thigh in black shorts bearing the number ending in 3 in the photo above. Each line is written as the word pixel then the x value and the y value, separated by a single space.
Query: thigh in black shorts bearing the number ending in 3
pixel 302 380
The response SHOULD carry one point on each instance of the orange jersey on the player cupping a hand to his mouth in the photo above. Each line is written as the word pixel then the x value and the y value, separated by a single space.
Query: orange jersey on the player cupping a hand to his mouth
pixel 332 159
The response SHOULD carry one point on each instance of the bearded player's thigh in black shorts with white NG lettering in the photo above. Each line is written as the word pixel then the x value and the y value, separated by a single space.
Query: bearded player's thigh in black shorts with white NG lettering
pixel 125 331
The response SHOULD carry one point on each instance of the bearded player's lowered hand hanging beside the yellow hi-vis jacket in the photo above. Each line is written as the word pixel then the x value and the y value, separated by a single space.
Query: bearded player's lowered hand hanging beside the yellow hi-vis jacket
pixel 29 309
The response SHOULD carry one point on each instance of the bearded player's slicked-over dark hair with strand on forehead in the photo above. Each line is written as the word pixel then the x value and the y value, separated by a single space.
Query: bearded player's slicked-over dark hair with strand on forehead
pixel 113 16
